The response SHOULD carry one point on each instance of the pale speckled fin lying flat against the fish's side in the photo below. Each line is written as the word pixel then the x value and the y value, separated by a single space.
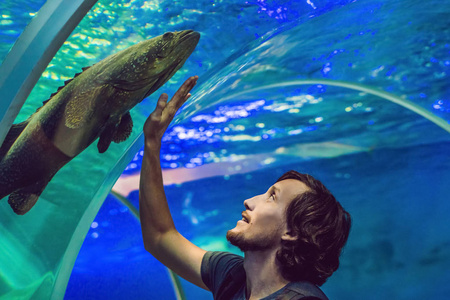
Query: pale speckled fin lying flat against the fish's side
pixel 81 107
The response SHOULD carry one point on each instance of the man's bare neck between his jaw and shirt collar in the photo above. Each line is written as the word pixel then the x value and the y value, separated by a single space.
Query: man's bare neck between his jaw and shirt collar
pixel 263 274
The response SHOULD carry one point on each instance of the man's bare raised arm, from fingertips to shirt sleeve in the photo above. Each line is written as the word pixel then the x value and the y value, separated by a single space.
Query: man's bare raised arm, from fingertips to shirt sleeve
pixel 161 238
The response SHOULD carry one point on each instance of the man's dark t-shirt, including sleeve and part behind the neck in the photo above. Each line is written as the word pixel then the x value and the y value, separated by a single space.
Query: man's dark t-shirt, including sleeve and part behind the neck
pixel 221 270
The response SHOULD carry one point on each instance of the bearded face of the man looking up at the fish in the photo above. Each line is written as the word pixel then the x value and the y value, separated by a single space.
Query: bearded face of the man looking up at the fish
pixel 264 221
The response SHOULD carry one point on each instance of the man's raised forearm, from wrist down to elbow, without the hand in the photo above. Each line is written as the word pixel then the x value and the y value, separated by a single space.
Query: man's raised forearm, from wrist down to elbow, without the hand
pixel 154 210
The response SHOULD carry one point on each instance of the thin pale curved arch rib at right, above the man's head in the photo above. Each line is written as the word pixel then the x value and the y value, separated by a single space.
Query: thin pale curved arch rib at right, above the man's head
pixel 358 87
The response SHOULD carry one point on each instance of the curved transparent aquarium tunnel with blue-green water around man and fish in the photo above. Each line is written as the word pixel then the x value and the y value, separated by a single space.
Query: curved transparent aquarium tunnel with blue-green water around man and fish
pixel 304 86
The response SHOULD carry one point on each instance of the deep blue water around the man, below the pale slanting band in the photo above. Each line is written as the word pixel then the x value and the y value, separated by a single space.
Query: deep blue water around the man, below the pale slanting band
pixel 398 248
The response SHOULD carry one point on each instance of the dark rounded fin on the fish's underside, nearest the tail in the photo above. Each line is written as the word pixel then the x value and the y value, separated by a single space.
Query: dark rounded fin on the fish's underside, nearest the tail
pixel 23 200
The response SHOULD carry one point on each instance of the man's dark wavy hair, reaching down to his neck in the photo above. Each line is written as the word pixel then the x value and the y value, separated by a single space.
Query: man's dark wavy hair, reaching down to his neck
pixel 321 227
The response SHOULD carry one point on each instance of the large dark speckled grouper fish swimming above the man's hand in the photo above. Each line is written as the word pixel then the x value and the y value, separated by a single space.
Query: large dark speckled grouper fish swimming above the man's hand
pixel 94 104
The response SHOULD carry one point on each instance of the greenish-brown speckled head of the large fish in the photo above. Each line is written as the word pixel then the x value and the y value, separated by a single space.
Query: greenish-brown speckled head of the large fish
pixel 141 69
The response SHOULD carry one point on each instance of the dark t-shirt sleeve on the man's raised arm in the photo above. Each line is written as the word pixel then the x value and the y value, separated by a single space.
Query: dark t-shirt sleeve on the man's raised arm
pixel 215 267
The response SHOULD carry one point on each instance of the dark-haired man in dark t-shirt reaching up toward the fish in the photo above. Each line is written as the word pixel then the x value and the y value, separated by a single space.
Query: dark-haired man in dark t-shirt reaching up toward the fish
pixel 291 236
